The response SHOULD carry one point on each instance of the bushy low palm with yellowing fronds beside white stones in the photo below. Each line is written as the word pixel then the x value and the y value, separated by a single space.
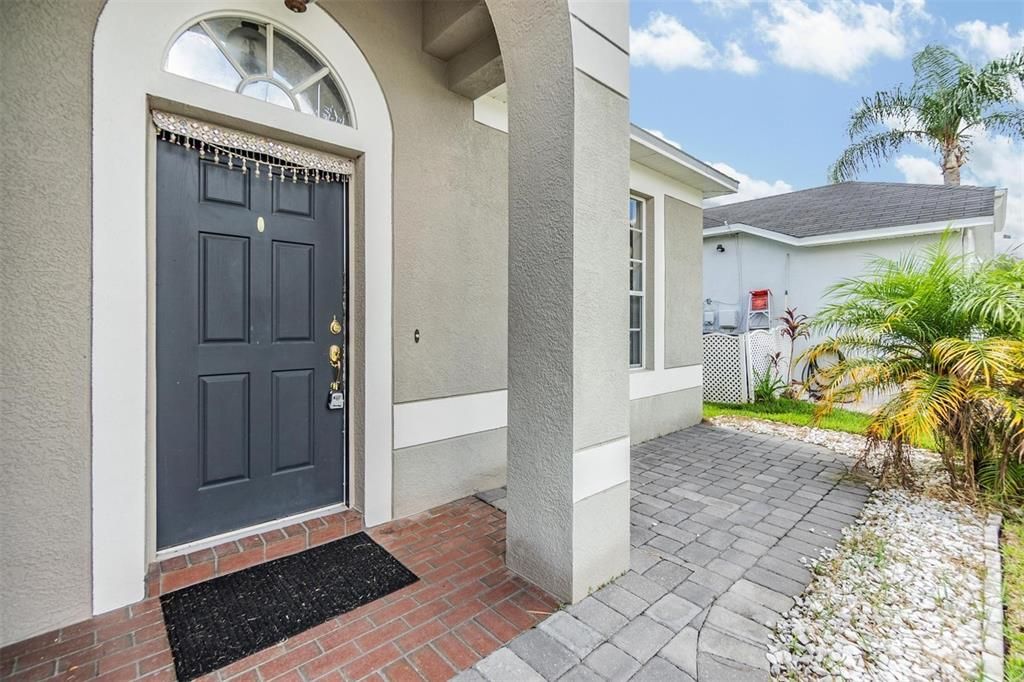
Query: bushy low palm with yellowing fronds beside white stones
pixel 944 345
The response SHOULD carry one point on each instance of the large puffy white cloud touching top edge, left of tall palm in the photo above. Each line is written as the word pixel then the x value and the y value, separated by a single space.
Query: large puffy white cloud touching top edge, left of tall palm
pixel 838 37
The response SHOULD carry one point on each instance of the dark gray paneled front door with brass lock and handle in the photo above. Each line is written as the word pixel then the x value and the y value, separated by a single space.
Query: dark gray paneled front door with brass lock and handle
pixel 243 330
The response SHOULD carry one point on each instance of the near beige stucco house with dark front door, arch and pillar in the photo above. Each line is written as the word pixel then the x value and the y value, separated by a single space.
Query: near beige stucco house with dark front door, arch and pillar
pixel 262 267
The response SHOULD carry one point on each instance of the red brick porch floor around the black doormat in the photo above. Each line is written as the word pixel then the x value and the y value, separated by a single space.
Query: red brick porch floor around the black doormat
pixel 465 606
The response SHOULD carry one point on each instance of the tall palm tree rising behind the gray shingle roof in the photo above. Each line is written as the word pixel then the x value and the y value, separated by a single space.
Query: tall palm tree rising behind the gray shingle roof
pixel 950 102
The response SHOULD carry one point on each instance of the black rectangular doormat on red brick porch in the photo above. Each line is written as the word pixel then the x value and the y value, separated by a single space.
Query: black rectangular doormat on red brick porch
pixel 217 623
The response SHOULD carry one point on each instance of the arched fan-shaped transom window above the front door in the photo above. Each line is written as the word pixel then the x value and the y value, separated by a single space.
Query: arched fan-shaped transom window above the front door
pixel 260 61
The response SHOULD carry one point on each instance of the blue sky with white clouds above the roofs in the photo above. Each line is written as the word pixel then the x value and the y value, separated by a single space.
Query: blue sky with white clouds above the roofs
pixel 766 89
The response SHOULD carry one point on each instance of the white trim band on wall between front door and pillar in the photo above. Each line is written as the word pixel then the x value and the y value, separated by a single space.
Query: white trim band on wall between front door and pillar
pixel 439 419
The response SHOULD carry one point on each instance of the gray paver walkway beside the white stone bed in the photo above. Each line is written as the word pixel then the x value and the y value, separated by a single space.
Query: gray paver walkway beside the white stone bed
pixel 720 522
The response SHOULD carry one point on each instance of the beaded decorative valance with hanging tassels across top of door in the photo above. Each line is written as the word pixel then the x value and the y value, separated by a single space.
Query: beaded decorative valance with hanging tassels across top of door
pixel 250 152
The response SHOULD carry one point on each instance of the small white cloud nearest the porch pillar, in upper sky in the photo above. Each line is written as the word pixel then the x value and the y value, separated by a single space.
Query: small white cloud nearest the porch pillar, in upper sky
pixel 669 46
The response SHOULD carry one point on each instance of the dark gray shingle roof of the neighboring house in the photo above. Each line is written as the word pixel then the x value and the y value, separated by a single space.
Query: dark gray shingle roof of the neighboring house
pixel 854 206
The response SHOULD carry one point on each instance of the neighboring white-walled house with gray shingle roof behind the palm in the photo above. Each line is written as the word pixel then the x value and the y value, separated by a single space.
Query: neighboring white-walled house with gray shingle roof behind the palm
pixel 800 244
